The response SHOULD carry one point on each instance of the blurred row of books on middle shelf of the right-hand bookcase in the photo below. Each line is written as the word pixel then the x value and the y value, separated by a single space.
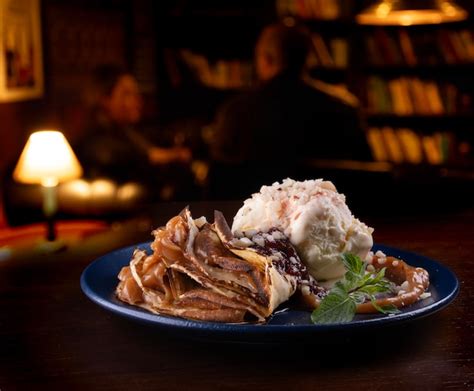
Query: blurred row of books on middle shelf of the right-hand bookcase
pixel 415 96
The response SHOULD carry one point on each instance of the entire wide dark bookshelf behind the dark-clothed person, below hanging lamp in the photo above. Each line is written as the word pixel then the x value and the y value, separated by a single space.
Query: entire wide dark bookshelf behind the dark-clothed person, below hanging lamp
pixel 414 82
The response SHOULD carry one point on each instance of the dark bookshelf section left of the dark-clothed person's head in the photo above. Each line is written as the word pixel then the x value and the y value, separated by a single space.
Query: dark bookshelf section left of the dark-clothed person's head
pixel 205 51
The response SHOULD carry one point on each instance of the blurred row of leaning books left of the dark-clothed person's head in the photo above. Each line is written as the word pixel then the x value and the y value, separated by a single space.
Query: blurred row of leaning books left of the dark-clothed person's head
pixel 222 74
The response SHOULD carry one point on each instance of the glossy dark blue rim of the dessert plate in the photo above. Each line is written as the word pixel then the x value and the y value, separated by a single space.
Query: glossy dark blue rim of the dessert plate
pixel 258 329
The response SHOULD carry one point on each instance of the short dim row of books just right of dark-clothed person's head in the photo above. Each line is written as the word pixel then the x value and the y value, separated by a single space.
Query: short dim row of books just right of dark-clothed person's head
pixel 329 53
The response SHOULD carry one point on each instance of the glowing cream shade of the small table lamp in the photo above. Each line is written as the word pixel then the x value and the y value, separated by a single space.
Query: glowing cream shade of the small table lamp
pixel 47 159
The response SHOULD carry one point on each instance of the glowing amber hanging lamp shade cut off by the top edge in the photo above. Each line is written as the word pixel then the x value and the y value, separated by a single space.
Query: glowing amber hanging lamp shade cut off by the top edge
pixel 412 12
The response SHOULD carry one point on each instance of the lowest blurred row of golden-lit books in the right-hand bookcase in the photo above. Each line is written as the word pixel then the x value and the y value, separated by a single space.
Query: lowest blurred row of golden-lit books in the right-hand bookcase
pixel 406 146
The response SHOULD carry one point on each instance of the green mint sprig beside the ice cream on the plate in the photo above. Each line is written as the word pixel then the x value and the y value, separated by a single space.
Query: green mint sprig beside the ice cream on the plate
pixel 356 287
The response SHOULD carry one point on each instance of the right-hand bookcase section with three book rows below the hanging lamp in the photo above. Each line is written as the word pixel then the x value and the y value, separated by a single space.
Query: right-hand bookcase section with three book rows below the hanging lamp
pixel 415 88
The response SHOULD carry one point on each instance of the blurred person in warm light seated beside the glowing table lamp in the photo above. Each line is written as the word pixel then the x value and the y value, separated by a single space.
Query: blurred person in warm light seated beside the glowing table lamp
pixel 113 144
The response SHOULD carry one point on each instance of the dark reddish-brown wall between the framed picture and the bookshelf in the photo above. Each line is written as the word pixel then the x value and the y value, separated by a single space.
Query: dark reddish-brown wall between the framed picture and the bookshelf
pixel 76 36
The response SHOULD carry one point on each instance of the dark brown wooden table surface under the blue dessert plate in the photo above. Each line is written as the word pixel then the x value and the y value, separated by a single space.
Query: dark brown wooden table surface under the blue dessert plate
pixel 54 337
